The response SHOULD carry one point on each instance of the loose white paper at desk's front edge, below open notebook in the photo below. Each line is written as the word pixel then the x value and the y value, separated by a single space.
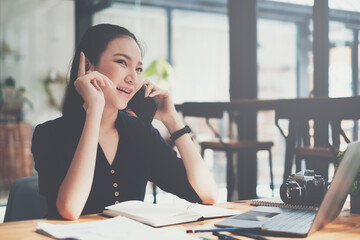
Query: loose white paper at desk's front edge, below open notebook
pixel 114 228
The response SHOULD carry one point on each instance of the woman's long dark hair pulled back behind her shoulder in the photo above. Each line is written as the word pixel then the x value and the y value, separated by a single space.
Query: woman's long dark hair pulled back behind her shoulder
pixel 92 44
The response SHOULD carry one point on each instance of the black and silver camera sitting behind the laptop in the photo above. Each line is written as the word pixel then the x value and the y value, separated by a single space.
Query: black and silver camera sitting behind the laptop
pixel 305 188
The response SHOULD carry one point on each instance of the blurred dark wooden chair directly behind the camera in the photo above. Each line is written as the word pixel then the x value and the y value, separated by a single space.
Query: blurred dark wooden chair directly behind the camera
pixel 298 141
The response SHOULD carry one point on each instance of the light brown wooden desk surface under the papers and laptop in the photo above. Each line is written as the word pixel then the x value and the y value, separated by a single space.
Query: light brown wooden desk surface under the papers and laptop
pixel 346 226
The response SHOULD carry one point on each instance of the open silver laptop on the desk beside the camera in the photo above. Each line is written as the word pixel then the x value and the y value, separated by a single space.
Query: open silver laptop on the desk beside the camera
pixel 301 223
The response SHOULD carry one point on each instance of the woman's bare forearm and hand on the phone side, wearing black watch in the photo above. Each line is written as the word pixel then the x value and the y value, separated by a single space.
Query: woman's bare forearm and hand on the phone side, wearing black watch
pixel 197 172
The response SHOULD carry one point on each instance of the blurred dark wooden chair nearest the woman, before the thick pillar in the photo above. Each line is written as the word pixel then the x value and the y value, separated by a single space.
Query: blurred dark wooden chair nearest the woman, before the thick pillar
pixel 230 147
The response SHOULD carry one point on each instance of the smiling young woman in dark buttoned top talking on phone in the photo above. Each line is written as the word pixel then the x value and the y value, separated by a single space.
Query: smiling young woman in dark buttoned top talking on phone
pixel 97 155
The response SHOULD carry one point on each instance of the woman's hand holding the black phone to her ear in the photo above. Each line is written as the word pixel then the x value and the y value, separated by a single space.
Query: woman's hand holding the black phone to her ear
pixel 166 107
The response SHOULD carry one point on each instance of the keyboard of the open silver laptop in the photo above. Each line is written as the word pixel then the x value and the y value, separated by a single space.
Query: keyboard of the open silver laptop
pixel 291 221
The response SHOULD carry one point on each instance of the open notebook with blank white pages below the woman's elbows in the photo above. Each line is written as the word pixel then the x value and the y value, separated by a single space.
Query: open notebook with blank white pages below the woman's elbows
pixel 158 215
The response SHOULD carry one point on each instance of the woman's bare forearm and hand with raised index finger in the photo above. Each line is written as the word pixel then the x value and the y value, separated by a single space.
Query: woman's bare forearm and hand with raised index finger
pixel 75 188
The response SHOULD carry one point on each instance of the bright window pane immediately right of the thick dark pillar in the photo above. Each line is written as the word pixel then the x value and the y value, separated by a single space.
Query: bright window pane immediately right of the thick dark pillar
pixel 276 59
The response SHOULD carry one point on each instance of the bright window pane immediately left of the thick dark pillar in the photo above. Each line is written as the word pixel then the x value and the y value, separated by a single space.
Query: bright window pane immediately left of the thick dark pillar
pixel 200 56
